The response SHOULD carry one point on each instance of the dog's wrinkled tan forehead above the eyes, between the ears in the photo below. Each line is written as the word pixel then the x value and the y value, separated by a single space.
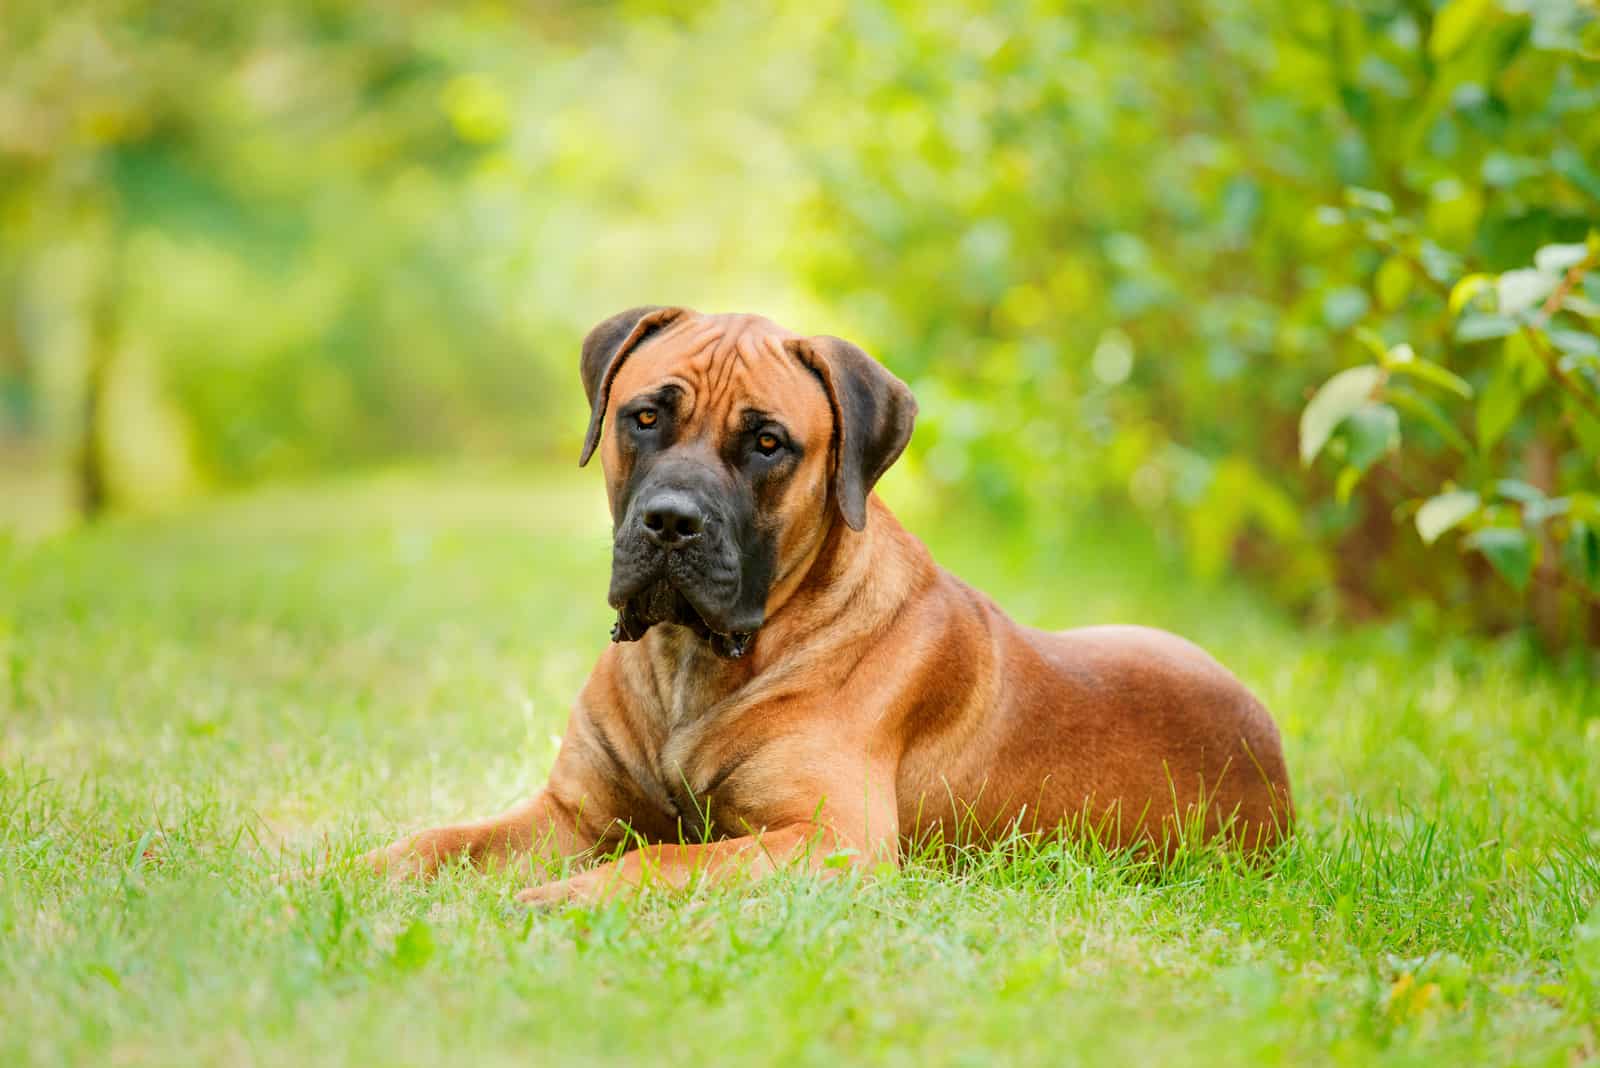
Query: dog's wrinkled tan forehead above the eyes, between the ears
pixel 727 365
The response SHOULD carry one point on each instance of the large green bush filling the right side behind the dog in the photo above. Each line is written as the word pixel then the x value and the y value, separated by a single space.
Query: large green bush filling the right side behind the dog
pixel 1377 207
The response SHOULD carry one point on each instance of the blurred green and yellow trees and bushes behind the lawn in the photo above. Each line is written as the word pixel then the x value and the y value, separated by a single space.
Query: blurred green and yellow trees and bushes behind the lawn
pixel 1310 290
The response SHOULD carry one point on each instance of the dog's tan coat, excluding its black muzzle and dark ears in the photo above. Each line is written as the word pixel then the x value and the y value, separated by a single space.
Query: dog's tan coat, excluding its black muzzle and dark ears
pixel 882 703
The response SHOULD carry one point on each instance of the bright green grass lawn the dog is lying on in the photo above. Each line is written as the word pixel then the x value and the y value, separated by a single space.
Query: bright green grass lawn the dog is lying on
pixel 194 704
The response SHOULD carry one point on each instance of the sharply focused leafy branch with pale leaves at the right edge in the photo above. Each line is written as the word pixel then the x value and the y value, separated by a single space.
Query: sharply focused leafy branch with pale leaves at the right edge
pixel 1546 365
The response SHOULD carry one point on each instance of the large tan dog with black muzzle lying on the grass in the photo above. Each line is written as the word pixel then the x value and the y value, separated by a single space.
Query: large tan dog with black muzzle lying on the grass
pixel 794 682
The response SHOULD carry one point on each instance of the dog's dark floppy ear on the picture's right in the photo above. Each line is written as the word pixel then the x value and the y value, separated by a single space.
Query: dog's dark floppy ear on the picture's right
pixel 873 418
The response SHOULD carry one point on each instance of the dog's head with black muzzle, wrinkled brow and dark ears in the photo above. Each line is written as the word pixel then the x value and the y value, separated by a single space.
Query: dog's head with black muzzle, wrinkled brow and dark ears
pixel 729 447
